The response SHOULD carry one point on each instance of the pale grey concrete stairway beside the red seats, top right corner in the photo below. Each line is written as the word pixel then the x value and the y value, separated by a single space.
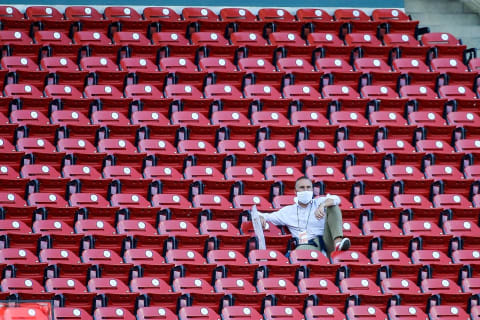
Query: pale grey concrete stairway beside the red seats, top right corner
pixel 454 15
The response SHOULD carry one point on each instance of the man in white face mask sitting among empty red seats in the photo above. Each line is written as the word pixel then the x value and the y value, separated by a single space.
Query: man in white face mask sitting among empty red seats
pixel 316 223
